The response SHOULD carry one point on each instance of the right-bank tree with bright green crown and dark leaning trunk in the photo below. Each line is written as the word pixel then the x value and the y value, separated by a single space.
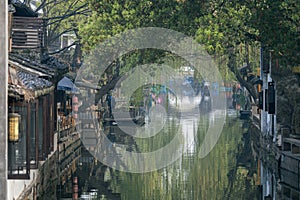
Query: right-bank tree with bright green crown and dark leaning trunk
pixel 226 32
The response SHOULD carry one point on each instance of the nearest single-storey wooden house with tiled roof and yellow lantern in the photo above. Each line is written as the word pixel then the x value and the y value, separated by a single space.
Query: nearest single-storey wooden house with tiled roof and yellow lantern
pixel 31 118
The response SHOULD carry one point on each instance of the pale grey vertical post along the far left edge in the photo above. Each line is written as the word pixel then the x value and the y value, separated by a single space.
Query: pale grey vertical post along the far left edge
pixel 3 97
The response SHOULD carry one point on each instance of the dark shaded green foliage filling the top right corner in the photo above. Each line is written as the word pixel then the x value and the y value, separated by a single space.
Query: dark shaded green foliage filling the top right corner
pixel 278 24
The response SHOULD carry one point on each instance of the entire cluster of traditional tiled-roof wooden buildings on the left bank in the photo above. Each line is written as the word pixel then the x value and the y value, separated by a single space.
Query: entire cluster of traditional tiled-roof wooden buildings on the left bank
pixel 33 122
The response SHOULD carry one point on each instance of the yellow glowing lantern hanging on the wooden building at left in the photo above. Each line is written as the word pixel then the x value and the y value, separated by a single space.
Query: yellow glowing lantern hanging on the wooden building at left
pixel 13 132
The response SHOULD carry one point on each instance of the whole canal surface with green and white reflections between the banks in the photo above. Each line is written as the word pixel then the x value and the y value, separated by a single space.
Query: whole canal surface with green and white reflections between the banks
pixel 231 166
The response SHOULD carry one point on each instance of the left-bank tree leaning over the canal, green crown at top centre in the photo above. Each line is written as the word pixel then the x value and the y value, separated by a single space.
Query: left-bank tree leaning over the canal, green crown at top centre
pixel 112 17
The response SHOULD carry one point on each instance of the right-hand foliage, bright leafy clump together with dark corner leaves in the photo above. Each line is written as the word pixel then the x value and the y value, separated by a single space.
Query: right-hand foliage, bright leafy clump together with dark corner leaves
pixel 275 24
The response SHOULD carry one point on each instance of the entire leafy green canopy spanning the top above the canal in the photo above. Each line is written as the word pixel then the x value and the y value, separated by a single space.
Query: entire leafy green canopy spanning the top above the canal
pixel 231 31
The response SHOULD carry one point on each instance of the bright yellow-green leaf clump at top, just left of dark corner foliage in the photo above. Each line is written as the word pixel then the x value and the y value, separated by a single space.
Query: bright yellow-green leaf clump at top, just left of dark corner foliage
pixel 224 28
